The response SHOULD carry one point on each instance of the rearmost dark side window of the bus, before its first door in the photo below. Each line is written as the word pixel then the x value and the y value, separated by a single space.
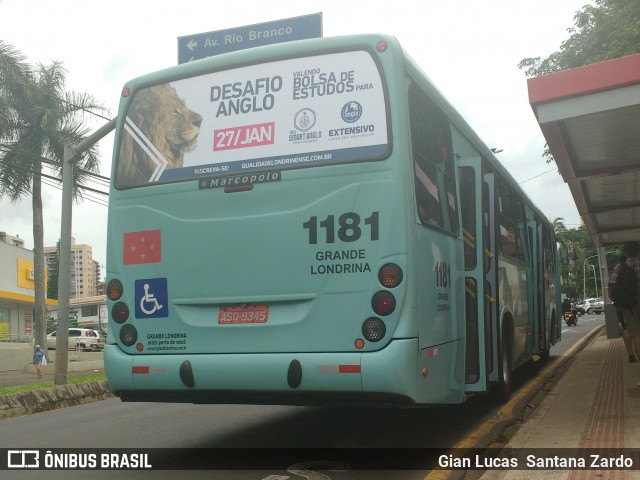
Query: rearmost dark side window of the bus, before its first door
pixel 433 166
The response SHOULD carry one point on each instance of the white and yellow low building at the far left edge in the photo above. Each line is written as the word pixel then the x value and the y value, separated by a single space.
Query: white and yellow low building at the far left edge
pixel 17 289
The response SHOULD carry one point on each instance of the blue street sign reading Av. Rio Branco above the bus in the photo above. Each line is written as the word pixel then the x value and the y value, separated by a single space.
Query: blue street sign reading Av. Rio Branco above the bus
pixel 202 45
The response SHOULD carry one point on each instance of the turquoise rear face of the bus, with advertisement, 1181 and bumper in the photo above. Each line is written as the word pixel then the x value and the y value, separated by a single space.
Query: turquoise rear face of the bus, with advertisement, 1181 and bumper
pixel 260 230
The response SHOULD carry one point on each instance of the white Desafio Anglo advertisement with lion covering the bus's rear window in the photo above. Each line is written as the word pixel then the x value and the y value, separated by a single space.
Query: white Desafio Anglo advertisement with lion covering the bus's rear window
pixel 302 112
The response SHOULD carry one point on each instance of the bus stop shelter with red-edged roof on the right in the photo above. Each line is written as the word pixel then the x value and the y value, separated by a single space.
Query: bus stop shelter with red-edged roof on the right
pixel 590 118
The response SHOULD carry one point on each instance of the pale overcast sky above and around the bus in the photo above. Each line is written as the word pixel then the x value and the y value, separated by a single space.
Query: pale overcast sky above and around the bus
pixel 470 49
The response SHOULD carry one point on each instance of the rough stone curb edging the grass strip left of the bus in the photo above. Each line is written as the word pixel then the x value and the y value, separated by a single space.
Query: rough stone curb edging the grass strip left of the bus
pixel 46 399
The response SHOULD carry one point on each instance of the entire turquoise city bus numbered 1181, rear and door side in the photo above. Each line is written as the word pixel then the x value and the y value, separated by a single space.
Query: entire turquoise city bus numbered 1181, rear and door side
pixel 312 223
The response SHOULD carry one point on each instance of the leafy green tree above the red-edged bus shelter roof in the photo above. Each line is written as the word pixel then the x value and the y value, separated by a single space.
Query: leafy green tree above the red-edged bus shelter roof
pixel 608 29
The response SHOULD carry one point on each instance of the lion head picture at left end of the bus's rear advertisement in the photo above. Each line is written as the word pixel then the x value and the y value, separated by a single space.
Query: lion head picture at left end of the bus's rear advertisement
pixel 160 129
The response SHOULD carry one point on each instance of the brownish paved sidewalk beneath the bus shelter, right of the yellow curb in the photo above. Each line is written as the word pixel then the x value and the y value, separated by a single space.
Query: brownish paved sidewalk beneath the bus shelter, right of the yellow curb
pixel 595 404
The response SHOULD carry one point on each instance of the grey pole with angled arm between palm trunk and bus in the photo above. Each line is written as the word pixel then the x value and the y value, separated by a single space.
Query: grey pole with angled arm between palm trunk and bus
pixel 71 156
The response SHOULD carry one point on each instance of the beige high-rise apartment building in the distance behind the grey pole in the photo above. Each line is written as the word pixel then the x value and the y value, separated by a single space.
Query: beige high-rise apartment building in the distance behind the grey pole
pixel 85 272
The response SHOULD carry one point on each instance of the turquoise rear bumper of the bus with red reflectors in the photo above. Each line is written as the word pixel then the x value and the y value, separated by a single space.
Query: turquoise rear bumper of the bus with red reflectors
pixel 284 378
